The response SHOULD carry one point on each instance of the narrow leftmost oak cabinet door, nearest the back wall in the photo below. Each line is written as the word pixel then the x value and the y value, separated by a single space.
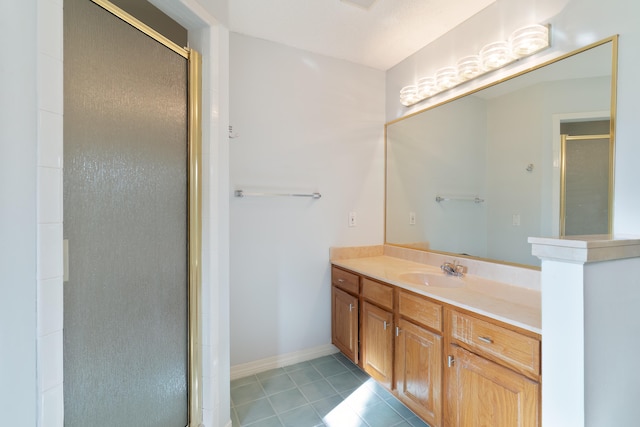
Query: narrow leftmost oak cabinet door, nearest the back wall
pixel 344 323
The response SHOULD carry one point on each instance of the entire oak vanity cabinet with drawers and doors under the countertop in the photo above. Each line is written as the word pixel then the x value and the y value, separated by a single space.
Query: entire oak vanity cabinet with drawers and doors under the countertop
pixel 451 367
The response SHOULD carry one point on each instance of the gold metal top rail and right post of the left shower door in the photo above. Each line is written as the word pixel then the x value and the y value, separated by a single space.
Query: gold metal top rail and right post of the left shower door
pixel 194 391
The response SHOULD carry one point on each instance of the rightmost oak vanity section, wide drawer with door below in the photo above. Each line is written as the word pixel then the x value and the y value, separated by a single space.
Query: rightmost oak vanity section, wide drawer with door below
pixel 492 373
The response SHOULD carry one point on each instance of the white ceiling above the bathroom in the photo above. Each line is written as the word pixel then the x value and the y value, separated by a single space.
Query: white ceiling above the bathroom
pixel 379 36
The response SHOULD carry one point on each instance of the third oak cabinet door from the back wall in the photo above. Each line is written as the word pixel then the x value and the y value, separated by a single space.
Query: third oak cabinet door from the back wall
pixel 418 362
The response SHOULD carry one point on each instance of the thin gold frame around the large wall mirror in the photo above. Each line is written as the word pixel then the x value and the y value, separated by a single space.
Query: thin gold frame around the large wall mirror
pixel 613 95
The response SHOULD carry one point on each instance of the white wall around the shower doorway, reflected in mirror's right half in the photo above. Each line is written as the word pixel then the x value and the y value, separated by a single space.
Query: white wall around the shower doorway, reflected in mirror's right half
pixel 522 134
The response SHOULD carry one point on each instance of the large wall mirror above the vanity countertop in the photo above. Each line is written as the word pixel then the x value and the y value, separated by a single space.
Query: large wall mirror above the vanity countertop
pixel 531 155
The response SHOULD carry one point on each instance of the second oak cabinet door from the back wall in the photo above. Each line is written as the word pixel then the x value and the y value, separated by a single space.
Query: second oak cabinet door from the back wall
pixel 377 343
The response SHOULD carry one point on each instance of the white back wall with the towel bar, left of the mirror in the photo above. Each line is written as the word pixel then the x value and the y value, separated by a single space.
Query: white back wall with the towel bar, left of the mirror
pixel 305 122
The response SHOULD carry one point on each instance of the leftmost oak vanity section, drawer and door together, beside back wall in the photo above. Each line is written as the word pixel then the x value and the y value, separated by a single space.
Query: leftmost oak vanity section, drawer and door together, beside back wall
pixel 345 312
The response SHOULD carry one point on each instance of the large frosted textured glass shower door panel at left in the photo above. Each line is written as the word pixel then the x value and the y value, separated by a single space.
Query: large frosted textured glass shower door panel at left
pixel 125 218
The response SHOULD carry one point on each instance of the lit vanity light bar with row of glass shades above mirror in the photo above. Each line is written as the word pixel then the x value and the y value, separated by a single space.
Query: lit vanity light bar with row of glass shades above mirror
pixel 523 42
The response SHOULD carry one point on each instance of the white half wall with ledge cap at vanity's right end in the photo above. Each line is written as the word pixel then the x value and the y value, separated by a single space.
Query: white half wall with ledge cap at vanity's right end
pixel 589 322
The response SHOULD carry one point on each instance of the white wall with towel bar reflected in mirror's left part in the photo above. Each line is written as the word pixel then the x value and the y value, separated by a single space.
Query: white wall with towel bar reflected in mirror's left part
pixel 438 154
